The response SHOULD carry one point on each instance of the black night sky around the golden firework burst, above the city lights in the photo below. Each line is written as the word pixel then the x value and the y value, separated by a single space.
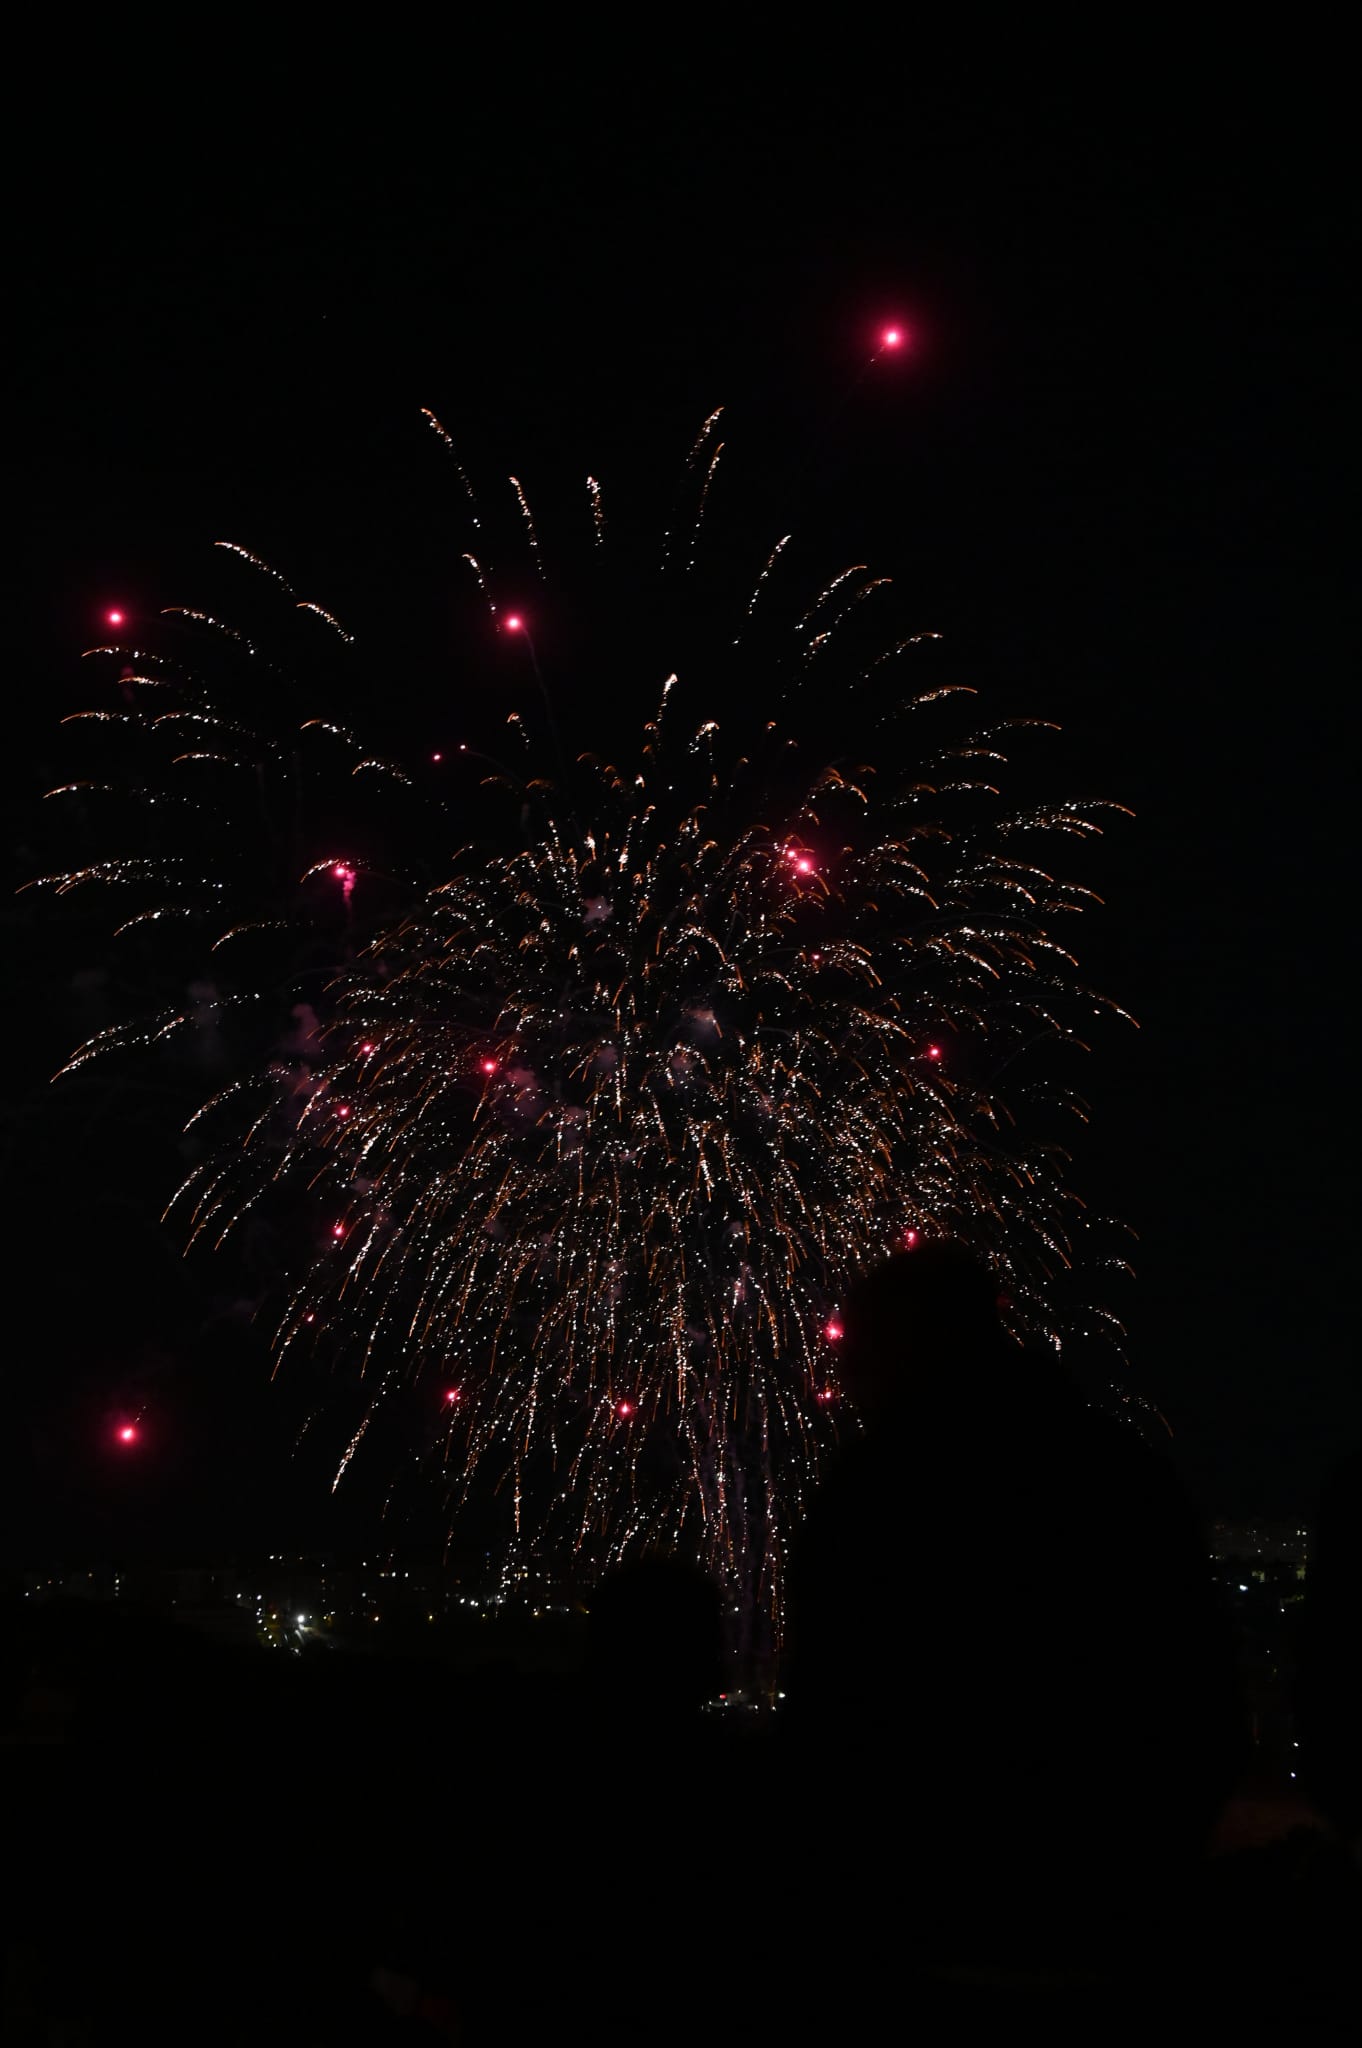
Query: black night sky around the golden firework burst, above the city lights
pixel 1109 474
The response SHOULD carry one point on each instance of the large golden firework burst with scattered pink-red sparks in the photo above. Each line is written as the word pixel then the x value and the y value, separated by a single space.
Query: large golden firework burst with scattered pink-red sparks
pixel 595 1121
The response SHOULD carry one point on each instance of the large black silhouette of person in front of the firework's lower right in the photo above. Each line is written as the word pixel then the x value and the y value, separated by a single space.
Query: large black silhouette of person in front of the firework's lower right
pixel 1005 1646
